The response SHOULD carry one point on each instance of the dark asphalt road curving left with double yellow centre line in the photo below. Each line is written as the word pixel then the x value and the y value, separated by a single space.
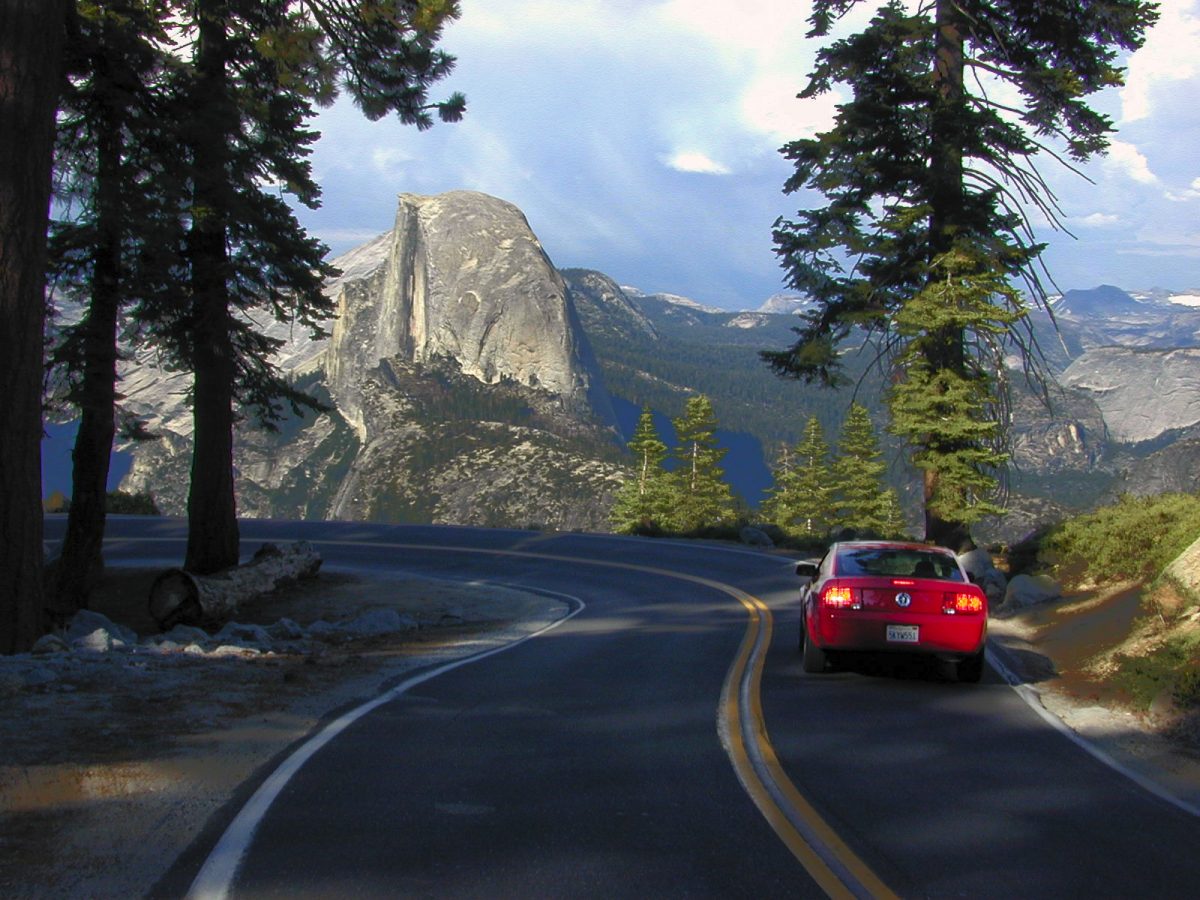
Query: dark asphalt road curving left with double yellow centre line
pixel 664 742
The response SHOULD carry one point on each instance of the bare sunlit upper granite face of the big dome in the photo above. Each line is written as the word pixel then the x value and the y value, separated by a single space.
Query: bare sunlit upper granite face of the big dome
pixel 466 280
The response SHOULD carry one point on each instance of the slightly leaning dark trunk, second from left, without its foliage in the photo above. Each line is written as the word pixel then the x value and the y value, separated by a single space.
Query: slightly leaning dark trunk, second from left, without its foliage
pixel 82 561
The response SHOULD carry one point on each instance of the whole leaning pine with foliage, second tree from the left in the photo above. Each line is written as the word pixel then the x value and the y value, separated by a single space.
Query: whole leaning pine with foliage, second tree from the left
pixel 116 184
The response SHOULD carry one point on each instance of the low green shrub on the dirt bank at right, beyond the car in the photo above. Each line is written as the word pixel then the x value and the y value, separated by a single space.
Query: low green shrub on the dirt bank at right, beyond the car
pixel 1133 539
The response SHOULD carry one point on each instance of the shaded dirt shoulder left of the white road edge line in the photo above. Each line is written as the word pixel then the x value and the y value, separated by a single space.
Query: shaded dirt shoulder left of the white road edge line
pixel 111 770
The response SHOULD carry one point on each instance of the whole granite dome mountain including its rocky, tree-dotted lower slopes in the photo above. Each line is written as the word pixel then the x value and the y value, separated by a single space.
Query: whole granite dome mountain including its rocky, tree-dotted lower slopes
pixel 461 386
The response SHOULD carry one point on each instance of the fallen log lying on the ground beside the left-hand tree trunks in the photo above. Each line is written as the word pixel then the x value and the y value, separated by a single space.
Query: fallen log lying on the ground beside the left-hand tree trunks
pixel 178 597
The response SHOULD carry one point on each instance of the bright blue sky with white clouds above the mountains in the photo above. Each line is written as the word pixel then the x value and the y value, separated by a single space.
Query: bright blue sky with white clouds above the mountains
pixel 641 139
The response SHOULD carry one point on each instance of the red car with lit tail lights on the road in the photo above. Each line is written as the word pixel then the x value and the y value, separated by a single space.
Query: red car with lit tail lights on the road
pixel 892 597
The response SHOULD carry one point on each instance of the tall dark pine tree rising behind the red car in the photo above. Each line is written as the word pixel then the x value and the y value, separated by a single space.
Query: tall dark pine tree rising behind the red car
pixel 923 163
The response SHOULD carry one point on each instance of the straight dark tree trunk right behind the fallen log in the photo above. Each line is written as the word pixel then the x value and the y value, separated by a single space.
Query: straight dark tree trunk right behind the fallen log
pixel 213 538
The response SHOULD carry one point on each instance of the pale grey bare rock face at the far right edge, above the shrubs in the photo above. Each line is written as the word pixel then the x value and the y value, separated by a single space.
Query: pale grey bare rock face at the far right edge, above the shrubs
pixel 1143 394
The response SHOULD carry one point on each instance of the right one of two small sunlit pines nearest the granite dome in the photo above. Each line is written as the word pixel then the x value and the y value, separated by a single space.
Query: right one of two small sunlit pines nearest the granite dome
pixel 701 497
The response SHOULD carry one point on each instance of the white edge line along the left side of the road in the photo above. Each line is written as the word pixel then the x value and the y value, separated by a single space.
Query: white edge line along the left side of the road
pixel 215 879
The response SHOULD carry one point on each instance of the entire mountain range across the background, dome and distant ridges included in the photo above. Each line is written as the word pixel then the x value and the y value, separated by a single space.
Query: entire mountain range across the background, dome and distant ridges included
pixel 473 382
